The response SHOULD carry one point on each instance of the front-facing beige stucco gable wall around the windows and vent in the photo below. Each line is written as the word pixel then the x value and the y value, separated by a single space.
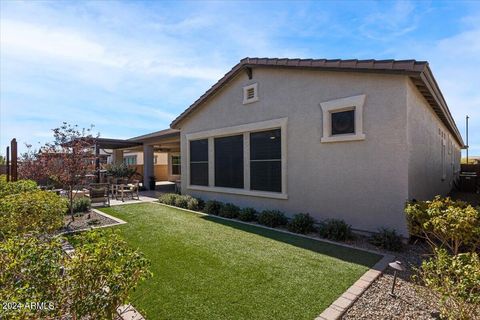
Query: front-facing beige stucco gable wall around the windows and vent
pixel 363 182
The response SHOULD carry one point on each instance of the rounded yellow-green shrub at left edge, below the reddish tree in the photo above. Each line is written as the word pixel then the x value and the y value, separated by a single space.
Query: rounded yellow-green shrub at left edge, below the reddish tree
pixel 33 211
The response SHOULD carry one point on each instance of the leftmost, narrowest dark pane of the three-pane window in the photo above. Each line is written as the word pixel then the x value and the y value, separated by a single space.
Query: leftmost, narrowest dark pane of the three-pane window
pixel 199 162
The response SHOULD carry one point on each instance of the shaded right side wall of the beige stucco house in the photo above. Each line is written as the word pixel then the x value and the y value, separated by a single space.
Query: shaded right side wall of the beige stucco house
pixel 426 174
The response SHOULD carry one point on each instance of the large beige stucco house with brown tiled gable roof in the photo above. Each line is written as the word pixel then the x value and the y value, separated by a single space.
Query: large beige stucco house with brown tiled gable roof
pixel 344 139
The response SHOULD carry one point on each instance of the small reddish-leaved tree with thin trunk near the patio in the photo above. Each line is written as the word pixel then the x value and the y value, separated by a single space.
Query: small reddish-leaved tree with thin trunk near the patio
pixel 66 160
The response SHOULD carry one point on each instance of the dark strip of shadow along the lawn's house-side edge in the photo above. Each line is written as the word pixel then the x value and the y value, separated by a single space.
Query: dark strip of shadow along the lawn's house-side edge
pixel 336 251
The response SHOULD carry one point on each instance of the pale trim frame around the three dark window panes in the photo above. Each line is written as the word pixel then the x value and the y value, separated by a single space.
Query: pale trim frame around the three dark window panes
pixel 245 129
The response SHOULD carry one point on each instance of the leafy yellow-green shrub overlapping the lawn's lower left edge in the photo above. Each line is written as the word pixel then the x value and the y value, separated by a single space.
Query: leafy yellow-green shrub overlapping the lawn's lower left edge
pixel 106 256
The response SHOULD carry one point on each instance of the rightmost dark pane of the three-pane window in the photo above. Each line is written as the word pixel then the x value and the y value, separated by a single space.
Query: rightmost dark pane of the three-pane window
pixel 266 161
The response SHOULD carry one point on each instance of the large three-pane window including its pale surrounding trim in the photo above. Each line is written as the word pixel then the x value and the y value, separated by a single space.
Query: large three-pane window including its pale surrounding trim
pixel 248 159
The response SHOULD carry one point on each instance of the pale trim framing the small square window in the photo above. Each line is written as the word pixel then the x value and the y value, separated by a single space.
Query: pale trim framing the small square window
pixel 344 104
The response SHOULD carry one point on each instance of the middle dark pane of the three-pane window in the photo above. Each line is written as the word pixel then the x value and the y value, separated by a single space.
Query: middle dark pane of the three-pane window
pixel 229 162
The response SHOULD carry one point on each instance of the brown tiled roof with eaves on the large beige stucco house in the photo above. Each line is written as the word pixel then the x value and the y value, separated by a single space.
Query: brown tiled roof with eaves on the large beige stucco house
pixel 418 71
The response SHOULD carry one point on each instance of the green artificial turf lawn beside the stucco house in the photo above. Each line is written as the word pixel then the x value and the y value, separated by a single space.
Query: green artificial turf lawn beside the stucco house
pixel 209 268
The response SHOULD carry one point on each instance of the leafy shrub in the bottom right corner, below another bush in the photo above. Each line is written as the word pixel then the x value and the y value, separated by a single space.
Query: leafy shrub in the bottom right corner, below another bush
pixel 455 280
